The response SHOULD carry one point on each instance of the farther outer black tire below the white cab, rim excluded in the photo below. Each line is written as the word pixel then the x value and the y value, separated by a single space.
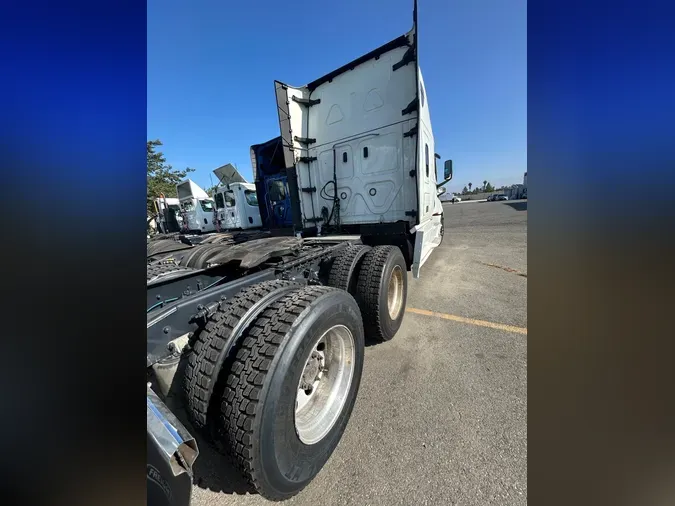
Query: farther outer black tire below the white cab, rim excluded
pixel 372 290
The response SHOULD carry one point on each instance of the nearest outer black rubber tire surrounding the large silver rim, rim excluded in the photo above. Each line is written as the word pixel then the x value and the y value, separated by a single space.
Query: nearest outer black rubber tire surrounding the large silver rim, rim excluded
pixel 258 408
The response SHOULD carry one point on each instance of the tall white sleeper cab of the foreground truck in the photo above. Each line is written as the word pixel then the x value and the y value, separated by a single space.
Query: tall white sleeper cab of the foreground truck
pixel 359 152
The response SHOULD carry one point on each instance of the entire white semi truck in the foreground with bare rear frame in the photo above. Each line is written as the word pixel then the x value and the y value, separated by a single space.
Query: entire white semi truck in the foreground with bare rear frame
pixel 263 341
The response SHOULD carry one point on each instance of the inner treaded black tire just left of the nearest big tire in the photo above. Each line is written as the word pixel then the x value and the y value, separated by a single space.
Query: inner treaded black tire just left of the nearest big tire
pixel 211 347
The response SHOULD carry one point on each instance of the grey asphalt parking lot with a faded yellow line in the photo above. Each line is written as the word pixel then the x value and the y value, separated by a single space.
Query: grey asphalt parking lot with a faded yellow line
pixel 441 416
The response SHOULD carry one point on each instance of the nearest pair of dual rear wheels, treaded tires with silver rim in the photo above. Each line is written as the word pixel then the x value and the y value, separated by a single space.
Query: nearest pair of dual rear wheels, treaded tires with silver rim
pixel 279 449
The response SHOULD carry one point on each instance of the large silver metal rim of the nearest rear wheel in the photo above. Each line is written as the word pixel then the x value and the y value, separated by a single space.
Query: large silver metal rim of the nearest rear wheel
pixel 324 384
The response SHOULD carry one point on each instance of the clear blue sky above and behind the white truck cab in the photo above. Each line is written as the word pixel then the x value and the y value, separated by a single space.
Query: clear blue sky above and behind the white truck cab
pixel 212 64
